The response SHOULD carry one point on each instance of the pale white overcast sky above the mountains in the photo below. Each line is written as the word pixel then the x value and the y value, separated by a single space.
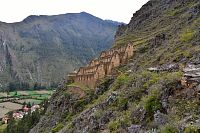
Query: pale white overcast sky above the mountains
pixel 117 10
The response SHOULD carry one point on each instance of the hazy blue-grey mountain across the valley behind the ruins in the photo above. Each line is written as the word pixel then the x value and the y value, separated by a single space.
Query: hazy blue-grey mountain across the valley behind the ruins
pixel 45 48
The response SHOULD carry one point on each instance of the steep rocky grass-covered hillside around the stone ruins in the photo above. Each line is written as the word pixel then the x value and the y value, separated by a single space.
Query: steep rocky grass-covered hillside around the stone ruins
pixel 157 91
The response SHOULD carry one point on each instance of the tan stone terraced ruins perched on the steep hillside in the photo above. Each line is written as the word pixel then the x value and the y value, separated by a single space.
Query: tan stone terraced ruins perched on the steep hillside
pixel 102 66
